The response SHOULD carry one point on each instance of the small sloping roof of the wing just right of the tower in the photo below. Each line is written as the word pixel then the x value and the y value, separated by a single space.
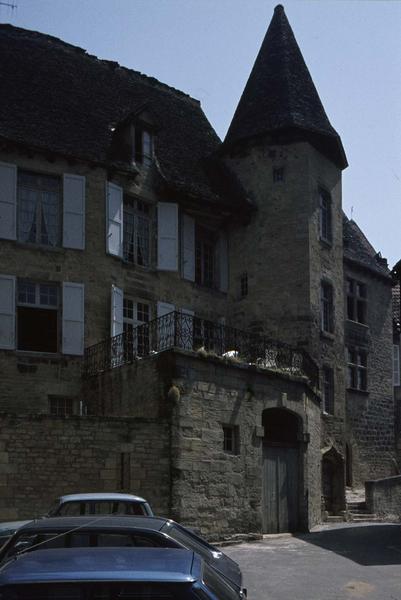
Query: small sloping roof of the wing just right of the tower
pixel 359 250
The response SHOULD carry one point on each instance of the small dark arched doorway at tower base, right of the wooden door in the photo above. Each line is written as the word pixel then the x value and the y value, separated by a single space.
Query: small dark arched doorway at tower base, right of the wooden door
pixel 333 488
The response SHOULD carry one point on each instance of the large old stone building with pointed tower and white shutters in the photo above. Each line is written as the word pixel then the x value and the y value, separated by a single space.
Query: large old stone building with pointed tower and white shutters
pixel 175 310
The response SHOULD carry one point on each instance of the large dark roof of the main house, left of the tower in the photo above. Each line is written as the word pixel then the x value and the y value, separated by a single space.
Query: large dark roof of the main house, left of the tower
pixel 66 101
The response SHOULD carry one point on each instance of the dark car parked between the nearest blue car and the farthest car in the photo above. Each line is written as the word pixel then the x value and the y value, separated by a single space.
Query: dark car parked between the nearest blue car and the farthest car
pixel 118 531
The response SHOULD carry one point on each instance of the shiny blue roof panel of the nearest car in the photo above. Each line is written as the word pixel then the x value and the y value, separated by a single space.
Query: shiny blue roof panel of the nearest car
pixel 101 564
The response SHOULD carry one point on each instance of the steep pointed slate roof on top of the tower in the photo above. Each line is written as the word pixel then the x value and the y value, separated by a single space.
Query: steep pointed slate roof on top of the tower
pixel 280 95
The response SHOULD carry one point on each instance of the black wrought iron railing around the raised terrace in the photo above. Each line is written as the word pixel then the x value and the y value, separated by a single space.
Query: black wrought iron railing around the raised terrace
pixel 185 331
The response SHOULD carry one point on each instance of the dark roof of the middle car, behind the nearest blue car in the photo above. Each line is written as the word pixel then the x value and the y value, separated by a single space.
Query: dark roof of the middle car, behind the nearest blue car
pixel 102 521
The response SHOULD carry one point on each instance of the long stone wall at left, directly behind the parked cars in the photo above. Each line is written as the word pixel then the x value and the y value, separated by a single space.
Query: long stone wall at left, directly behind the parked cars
pixel 42 457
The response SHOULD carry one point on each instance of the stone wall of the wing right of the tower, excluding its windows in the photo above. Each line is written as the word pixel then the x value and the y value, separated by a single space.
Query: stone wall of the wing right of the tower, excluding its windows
pixel 370 414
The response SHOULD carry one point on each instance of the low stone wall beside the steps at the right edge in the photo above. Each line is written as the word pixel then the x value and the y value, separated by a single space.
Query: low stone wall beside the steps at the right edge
pixel 383 497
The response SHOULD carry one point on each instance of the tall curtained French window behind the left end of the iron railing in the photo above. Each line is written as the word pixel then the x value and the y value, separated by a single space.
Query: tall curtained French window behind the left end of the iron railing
pixel 136 314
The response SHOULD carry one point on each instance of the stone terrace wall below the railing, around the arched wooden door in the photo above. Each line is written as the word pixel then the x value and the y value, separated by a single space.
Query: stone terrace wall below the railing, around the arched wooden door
pixel 221 492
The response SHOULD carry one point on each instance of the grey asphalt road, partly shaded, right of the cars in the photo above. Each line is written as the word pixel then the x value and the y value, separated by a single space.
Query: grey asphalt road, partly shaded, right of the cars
pixel 343 562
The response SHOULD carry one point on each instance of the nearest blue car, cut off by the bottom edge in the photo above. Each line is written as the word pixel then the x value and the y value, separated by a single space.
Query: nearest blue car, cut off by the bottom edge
pixel 110 573
